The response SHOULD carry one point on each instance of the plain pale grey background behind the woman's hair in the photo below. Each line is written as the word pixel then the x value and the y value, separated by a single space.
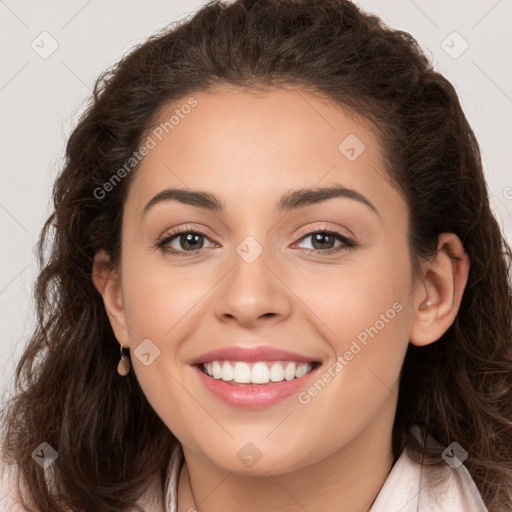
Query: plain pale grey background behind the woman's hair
pixel 41 98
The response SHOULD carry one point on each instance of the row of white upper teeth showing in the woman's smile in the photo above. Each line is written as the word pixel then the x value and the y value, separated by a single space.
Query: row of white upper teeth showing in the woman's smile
pixel 261 372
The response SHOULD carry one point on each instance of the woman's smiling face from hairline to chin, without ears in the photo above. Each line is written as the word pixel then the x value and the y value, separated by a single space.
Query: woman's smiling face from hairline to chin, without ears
pixel 262 275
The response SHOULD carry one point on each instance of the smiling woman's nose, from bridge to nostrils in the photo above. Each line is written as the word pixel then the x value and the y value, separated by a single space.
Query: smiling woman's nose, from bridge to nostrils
pixel 254 291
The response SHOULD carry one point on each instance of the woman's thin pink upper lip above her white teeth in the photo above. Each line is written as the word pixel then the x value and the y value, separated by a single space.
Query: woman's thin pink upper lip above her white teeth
pixel 263 353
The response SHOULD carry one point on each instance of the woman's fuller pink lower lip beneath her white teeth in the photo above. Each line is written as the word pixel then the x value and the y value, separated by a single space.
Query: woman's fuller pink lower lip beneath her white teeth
pixel 253 395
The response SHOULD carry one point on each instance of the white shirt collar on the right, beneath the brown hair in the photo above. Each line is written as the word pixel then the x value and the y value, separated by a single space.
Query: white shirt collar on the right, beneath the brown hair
pixel 412 486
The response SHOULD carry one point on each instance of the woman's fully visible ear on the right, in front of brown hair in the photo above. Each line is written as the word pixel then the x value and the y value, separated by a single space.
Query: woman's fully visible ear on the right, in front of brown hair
pixel 437 298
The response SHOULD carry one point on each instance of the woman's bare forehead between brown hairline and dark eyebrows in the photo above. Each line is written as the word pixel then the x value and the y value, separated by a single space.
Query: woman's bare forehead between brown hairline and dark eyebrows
pixel 261 143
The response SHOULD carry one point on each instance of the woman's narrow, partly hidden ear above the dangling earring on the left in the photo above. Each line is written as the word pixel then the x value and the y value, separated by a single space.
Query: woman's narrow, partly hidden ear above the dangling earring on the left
pixel 108 283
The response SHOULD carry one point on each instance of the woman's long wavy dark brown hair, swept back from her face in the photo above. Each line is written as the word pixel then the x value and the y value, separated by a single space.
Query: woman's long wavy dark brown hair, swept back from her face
pixel 109 439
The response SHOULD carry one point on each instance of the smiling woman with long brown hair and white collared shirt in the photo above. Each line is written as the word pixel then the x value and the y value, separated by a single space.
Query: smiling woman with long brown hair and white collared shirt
pixel 273 221
